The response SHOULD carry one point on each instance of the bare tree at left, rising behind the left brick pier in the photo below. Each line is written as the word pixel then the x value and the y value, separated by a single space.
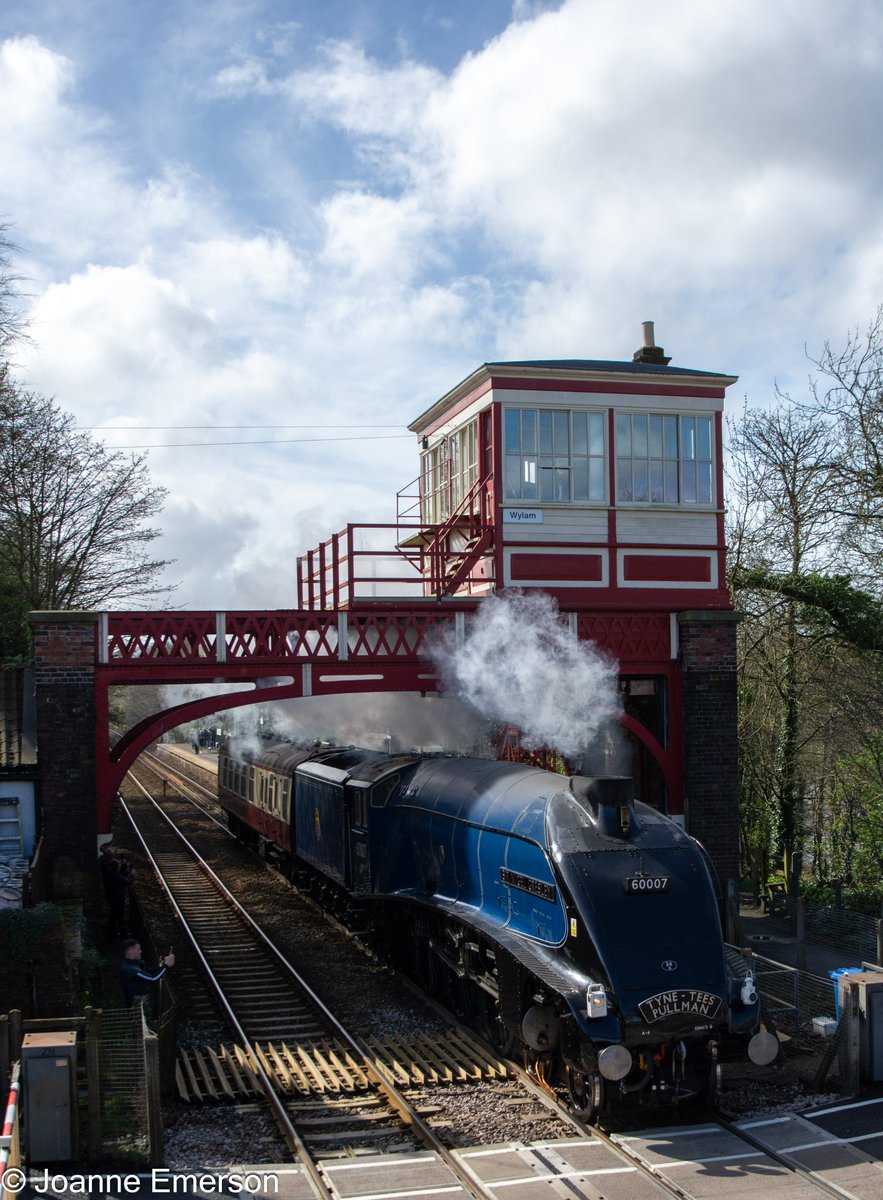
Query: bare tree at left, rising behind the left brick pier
pixel 74 518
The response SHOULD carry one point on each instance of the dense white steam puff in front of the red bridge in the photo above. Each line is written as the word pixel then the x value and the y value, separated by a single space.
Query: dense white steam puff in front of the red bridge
pixel 521 665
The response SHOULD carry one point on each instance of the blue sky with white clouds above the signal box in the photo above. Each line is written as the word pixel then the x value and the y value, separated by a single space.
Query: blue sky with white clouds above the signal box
pixel 260 238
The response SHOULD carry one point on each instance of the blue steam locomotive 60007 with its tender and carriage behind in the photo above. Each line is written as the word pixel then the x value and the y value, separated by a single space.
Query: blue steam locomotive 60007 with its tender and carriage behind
pixel 558 915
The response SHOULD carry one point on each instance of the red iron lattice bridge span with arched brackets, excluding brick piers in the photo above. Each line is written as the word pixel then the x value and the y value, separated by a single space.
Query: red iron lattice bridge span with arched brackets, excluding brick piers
pixel 293 655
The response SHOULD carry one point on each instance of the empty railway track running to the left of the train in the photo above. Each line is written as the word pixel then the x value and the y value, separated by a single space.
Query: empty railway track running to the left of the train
pixel 329 1094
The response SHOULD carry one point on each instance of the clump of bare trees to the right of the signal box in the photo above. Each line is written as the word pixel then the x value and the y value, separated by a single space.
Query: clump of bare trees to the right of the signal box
pixel 807 553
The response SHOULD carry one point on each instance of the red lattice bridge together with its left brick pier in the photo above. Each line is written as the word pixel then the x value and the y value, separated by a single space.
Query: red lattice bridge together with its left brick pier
pixel 265 657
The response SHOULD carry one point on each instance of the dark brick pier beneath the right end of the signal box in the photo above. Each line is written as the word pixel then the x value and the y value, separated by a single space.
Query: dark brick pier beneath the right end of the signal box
pixel 711 736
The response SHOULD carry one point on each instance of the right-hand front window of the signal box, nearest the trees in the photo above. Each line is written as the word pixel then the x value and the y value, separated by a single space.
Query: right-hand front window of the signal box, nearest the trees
pixel 664 460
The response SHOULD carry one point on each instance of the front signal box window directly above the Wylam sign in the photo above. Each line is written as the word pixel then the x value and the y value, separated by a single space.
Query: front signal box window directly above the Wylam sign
pixel 555 455
